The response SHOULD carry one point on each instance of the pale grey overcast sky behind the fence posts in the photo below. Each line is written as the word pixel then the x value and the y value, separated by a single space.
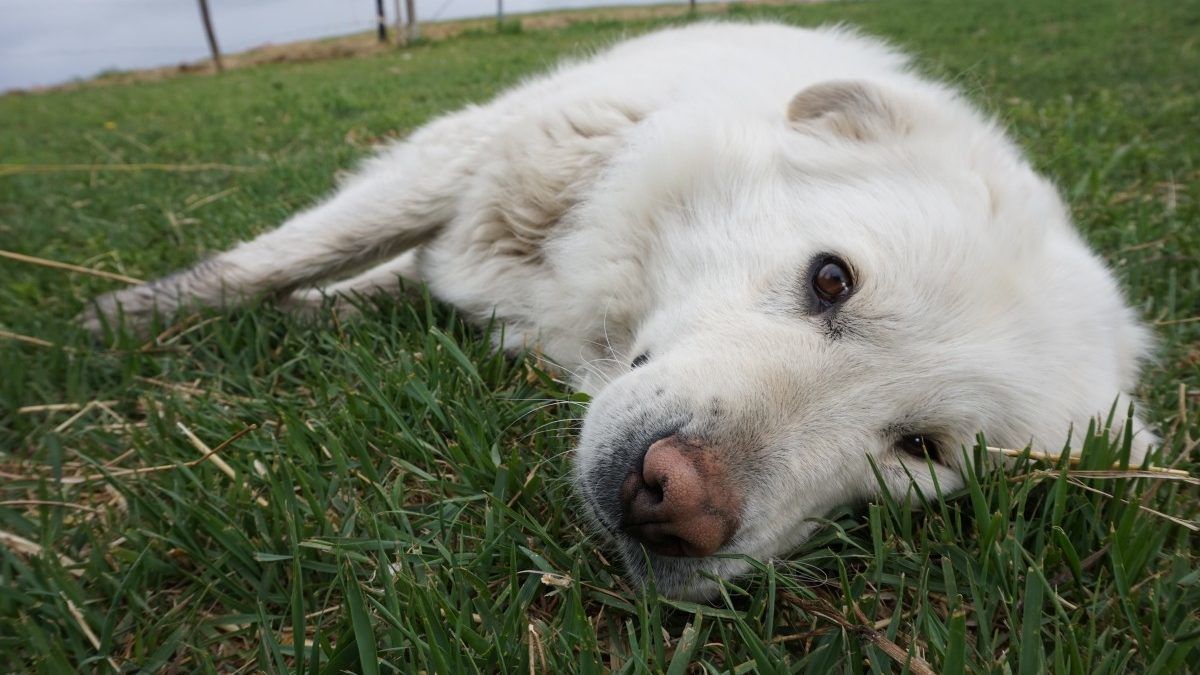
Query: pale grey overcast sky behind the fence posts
pixel 53 41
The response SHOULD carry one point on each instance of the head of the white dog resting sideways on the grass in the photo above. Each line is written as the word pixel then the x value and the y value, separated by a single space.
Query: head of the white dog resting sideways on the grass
pixel 873 278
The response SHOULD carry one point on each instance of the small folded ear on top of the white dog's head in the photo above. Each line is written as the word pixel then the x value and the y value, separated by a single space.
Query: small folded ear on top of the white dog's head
pixel 855 110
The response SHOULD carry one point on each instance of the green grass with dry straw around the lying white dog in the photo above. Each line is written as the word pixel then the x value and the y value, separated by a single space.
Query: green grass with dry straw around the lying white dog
pixel 394 495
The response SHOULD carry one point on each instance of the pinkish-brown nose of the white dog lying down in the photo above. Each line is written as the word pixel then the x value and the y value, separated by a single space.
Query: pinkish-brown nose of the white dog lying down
pixel 682 503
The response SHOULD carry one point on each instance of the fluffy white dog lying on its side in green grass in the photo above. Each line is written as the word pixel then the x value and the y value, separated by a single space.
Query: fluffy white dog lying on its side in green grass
pixel 775 256
